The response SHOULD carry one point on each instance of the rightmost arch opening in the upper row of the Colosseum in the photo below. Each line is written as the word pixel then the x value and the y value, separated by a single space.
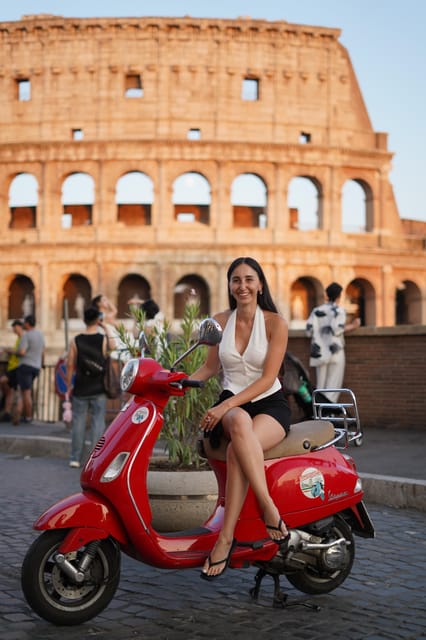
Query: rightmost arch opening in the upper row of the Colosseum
pixel 357 206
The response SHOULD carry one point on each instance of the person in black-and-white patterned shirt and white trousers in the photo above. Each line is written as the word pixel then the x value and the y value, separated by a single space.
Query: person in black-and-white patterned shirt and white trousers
pixel 326 327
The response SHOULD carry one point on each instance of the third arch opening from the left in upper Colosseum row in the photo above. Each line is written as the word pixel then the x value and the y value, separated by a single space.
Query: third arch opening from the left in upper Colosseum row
pixel 134 196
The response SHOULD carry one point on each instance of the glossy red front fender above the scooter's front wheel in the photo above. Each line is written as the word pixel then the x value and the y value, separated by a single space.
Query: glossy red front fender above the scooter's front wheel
pixel 87 510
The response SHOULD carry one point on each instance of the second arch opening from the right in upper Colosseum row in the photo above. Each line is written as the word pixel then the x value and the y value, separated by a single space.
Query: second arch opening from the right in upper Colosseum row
pixel 305 203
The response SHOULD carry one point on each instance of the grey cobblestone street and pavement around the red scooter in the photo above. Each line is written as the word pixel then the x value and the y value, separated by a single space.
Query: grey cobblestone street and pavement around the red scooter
pixel 383 599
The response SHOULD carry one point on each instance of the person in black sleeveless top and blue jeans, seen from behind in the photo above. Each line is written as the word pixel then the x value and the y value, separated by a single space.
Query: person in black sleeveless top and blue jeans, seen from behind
pixel 86 359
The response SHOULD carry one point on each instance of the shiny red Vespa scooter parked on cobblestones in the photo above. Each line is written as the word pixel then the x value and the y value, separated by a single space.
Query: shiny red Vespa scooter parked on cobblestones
pixel 72 570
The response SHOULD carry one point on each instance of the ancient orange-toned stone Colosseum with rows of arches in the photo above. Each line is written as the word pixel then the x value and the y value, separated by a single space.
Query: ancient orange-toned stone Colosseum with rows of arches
pixel 139 156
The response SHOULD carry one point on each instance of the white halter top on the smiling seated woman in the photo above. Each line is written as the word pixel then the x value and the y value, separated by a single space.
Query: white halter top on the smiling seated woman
pixel 240 371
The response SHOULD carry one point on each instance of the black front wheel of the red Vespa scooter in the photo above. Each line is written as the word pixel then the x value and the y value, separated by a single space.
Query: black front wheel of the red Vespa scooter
pixel 53 593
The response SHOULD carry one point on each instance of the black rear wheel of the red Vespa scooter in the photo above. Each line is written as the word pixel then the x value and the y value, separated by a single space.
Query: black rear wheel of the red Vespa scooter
pixel 317 578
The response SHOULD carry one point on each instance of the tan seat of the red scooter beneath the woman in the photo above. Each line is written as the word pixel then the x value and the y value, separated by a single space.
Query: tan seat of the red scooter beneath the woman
pixel 303 437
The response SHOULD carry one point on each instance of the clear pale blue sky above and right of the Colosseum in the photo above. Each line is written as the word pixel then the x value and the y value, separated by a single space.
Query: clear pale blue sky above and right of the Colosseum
pixel 386 40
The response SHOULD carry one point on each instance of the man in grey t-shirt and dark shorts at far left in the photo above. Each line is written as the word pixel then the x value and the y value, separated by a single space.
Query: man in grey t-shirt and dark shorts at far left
pixel 31 359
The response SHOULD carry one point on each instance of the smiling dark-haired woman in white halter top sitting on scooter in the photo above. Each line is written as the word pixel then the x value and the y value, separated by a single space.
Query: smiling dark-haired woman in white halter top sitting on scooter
pixel 251 410
